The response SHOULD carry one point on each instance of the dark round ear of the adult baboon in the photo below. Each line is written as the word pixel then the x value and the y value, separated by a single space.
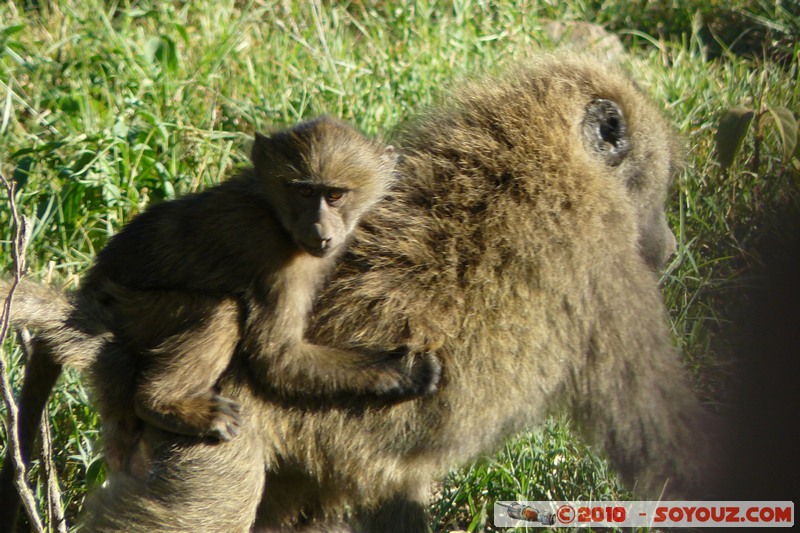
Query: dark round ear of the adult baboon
pixel 605 131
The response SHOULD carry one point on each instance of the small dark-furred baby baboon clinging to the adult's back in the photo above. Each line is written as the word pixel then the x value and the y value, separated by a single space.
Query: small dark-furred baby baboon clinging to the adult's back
pixel 188 280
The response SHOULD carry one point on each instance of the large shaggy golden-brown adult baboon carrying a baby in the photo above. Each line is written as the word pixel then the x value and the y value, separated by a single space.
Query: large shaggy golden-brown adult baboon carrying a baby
pixel 522 239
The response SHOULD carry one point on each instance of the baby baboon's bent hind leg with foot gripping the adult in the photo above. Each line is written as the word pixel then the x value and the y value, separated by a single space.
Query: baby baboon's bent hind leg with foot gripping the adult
pixel 176 392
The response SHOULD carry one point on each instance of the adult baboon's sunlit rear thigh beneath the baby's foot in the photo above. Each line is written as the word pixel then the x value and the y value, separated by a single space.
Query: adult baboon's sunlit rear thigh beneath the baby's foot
pixel 190 487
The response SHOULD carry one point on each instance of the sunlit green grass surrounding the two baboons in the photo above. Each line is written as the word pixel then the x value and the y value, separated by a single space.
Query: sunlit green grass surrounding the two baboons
pixel 106 107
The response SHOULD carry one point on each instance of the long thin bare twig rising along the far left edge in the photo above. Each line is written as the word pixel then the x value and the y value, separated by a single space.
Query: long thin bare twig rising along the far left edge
pixel 13 452
